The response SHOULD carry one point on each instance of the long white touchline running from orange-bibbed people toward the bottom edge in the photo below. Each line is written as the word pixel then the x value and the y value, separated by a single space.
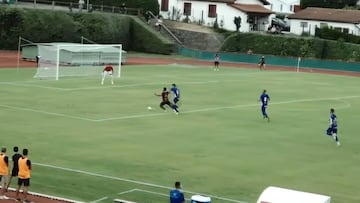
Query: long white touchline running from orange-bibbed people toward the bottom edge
pixel 131 181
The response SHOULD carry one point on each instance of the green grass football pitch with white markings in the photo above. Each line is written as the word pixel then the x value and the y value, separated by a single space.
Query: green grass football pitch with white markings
pixel 95 143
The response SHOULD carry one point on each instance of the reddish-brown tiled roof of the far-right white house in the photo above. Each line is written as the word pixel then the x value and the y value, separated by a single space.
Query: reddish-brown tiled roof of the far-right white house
pixel 327 14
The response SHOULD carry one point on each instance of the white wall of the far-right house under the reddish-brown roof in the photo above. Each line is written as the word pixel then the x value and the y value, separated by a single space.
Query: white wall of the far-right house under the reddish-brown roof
pixel 296 26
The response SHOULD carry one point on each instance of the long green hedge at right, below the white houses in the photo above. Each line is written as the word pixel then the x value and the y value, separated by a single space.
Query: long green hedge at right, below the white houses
pixel 292 46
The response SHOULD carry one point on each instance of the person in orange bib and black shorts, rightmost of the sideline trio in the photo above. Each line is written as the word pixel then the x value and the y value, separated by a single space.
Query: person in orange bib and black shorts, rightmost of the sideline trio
pixel 24 175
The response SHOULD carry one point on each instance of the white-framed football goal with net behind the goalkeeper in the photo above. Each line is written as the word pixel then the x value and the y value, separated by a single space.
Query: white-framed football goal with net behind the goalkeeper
pixel 57 60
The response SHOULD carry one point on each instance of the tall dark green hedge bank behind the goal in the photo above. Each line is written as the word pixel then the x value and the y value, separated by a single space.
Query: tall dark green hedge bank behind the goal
pixel 59 26
